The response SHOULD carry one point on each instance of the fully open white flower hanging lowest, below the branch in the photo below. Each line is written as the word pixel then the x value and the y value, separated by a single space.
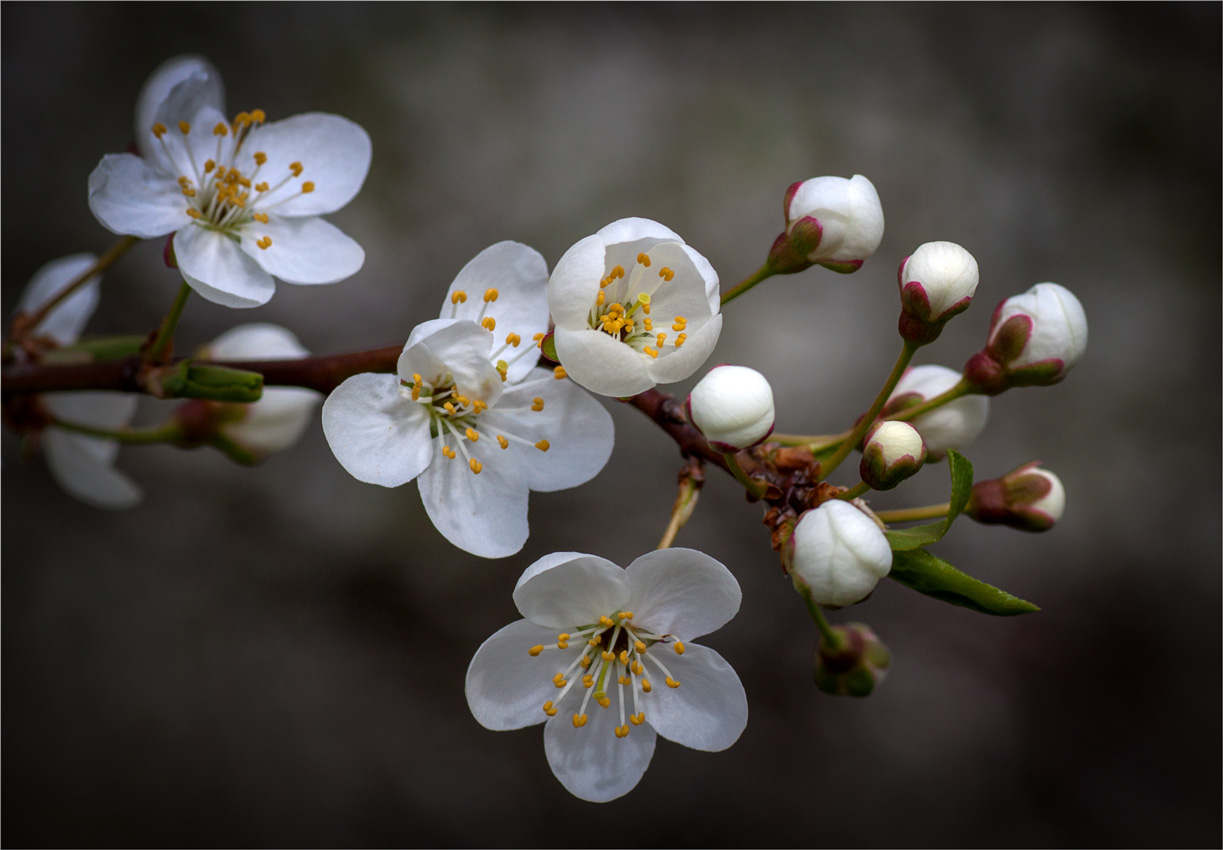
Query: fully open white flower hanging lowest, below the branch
pixel 605 657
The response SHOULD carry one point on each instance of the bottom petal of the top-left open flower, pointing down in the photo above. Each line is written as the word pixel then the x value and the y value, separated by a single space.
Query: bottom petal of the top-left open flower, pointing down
pixel 216 267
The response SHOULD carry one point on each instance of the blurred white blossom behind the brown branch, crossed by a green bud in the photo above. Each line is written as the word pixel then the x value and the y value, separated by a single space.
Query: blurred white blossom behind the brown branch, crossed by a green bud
pixel 281 416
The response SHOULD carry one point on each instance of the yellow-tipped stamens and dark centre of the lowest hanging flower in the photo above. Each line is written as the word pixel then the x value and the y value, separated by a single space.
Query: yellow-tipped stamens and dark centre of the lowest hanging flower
pixel 612 652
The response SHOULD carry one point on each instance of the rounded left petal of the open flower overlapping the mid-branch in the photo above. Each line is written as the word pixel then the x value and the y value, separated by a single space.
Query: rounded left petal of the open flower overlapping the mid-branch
pixel 377 435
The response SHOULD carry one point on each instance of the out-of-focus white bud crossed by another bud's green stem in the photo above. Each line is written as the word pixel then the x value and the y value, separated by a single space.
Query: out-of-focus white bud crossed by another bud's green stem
pixel 955 425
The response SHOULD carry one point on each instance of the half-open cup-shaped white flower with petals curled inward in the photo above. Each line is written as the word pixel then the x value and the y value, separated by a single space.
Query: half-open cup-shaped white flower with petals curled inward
pixel 634 308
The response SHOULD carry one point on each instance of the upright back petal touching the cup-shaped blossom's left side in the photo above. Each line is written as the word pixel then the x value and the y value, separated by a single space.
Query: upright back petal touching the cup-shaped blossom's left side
pixel 520 276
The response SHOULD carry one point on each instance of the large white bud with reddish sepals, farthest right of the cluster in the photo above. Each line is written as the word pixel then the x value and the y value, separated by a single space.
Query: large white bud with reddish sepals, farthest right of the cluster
pixel 1035 339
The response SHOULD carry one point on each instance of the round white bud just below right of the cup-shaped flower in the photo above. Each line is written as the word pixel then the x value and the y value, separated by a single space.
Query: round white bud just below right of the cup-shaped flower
pixel 733 408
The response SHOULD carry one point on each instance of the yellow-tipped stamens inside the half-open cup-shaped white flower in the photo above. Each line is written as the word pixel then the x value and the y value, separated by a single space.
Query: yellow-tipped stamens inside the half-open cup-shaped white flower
pixel 622 308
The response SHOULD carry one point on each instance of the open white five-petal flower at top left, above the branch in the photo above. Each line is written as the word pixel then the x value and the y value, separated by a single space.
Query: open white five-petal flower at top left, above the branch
pixel 243 198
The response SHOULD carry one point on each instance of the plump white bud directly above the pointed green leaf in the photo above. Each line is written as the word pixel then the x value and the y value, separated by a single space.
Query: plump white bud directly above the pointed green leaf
pixel 838 555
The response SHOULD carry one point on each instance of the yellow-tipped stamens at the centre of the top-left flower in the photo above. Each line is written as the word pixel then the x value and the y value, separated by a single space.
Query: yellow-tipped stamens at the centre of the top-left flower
pixel 220 194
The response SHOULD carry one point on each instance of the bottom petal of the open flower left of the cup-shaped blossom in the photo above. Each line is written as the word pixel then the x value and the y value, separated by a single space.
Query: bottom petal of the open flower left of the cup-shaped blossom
pixel 484 514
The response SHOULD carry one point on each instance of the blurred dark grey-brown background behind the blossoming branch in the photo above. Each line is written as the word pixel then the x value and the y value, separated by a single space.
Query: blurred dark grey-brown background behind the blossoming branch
pixel 277 657
